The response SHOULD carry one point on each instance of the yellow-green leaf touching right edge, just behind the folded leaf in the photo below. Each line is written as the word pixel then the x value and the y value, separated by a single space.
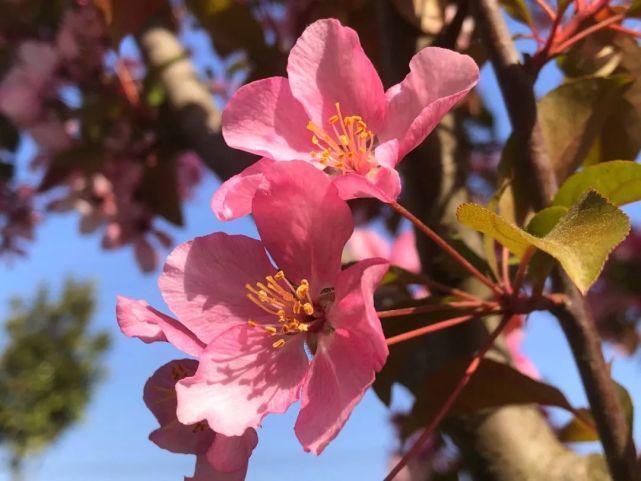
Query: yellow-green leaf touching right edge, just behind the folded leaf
pixel 618 180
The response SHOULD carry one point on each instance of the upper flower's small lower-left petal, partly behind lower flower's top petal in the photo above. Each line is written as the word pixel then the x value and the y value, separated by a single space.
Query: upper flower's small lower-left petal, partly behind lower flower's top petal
pixel 234 197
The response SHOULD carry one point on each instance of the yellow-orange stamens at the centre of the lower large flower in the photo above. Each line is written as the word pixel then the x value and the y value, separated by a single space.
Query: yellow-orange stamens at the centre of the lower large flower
pixel 291 305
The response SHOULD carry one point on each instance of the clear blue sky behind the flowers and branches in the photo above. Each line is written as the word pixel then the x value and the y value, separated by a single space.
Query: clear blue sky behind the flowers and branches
pixel 110 443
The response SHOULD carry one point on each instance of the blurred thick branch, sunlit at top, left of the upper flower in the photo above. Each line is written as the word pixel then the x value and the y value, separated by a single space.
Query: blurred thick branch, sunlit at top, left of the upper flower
pixel 191 103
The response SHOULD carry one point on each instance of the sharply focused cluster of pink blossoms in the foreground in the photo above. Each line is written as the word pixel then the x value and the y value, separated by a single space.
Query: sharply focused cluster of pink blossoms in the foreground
pixel 274 321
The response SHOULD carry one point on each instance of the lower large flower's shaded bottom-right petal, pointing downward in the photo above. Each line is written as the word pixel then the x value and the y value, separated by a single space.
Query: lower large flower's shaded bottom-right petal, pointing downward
pixel 339 375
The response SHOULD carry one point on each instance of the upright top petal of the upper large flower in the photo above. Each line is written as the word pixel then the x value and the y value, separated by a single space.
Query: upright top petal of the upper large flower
pixel 328 65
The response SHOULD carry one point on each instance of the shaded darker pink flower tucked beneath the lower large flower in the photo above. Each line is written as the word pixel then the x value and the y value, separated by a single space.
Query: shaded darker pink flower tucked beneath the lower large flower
pixel 219 458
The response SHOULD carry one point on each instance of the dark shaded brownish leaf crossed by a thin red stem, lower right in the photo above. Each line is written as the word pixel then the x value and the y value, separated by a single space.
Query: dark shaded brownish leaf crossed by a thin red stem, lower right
pixel 493 385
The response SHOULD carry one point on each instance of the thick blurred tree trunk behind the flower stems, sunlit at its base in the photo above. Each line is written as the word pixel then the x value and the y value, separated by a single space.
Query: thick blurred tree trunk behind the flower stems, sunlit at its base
pixel 514 443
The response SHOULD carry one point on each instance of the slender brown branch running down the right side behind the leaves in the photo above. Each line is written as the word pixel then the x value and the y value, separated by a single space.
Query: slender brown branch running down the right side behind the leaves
pixel 575 318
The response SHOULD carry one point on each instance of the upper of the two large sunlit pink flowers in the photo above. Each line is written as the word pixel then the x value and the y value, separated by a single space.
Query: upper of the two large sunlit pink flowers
pixel 332 110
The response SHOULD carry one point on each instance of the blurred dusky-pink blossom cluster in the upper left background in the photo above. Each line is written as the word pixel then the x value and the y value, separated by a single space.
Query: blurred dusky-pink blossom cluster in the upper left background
pixel 99 154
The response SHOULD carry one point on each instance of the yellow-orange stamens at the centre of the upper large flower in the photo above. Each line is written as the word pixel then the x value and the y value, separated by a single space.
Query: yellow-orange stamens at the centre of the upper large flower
pixel 348 148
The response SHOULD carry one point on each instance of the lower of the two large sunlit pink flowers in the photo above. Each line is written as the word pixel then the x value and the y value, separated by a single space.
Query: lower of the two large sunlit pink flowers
pixel 300 329
